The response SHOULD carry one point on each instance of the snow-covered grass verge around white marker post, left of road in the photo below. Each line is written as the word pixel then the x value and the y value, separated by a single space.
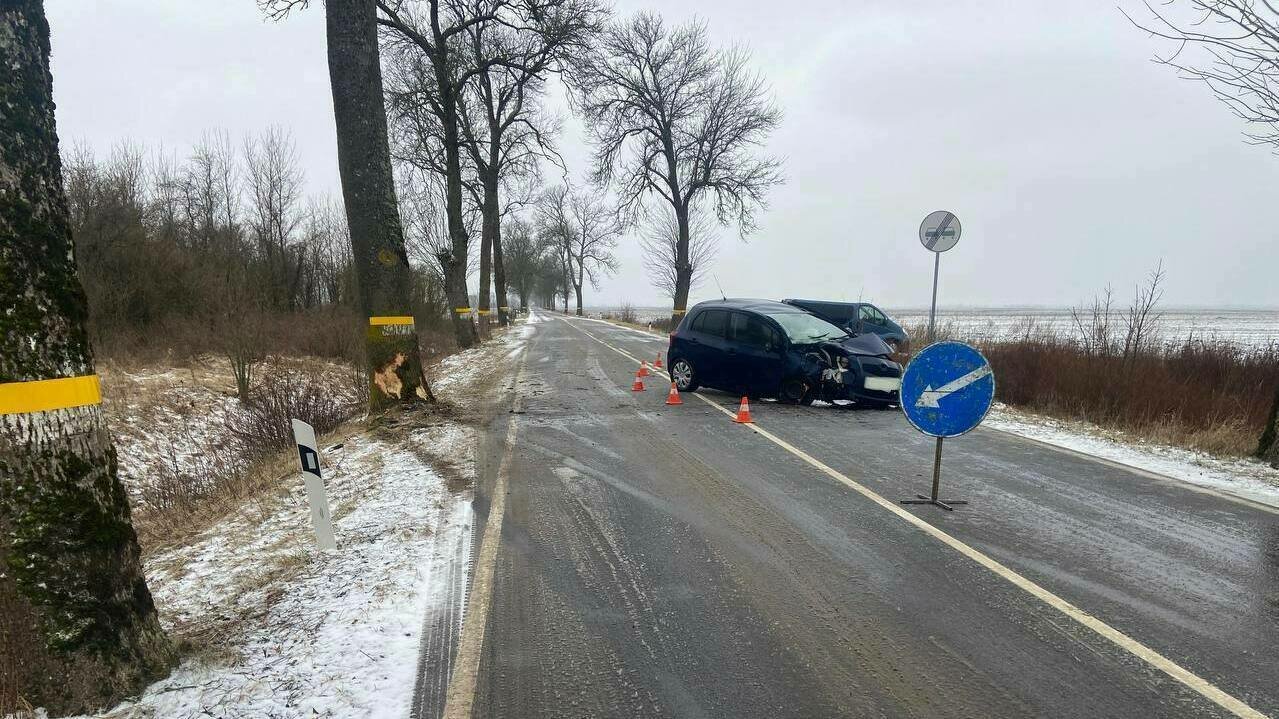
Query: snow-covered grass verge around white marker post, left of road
pixel 282 630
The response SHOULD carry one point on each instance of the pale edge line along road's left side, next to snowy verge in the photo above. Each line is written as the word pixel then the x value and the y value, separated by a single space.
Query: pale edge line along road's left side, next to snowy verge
pixel 460 700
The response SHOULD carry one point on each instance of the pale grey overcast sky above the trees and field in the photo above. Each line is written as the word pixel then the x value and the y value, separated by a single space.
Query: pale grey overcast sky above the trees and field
pixel 1070 158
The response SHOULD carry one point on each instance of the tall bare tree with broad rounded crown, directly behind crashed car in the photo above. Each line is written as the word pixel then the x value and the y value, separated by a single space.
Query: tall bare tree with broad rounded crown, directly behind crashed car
pixel 672 117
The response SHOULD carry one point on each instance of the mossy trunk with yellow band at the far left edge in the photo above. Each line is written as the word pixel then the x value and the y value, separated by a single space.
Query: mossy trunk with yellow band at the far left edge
pixel 77 625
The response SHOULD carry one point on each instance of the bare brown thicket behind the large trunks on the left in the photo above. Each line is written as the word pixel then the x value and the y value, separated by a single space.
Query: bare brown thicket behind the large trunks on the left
pixel 218 251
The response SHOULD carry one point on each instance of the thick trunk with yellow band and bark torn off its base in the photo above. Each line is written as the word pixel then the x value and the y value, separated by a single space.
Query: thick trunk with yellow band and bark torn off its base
pixel 383 274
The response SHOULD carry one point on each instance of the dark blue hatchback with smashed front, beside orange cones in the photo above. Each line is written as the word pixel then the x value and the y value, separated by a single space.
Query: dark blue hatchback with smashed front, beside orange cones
pixel 765 349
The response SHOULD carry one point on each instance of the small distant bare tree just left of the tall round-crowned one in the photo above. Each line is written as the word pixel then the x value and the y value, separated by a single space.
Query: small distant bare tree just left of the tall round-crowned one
pixel 585 230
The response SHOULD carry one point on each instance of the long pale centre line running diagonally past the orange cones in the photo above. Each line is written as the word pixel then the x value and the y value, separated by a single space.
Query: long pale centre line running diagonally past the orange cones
pixel 1124 642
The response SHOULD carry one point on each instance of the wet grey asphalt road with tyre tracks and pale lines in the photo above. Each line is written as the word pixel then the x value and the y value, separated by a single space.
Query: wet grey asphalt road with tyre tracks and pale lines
pixel 667 562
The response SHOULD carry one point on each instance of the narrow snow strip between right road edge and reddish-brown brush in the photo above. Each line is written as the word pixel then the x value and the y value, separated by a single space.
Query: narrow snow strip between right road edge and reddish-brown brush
pixel 1243 478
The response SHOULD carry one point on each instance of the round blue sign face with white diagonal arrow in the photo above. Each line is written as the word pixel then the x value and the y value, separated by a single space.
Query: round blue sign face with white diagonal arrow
pixel 947 390
